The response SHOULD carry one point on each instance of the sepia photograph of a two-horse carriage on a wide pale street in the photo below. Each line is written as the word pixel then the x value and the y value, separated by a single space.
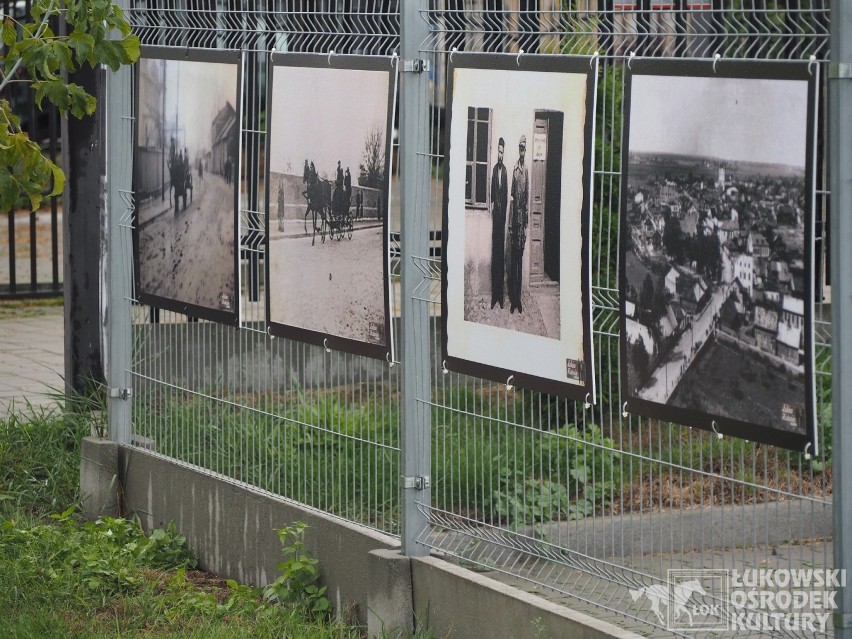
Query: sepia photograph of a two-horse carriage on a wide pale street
pixel 327 193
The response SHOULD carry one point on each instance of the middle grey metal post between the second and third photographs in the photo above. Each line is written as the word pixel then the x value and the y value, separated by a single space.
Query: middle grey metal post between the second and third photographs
pixel 414 185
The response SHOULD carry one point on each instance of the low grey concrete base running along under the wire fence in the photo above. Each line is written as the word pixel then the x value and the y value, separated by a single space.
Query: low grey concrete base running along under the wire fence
pixel 231 529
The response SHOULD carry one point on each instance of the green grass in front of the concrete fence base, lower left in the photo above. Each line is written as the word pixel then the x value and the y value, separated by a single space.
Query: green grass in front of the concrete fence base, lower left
pixel 66 578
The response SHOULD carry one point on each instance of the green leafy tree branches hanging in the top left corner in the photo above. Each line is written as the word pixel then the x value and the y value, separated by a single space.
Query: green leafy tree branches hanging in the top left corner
pixel 98 34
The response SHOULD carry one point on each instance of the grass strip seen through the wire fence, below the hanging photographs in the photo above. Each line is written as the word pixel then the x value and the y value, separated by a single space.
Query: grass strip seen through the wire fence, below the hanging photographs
pixel 338 451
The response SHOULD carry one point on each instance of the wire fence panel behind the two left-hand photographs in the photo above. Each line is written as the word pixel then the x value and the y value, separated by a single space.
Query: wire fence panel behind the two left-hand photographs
pixel 318 427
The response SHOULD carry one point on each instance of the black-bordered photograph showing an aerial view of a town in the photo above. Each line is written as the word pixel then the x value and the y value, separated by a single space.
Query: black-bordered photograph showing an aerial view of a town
pixel 717 232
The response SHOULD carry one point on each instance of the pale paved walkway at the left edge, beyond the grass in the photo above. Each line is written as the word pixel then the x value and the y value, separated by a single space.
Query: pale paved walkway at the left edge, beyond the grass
pixel 32 346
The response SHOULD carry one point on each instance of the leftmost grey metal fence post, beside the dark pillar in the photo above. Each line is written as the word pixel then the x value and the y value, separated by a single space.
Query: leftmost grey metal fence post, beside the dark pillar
pixel 118 197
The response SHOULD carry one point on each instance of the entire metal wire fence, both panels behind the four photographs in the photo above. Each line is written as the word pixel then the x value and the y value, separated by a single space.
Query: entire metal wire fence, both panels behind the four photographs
pixel 581 504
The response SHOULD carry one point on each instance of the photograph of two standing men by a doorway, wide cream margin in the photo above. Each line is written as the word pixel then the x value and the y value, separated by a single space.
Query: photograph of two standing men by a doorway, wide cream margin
pixel 516 220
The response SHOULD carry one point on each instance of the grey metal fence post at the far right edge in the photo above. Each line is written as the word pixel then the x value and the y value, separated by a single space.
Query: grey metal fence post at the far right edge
pixel 840 166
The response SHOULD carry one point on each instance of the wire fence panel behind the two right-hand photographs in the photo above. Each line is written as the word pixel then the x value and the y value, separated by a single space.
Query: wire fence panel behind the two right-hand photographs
pixel 585 505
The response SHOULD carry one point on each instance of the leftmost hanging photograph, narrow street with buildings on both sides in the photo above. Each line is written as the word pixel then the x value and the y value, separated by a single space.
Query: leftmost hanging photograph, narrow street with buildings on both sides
pixel 186 177
